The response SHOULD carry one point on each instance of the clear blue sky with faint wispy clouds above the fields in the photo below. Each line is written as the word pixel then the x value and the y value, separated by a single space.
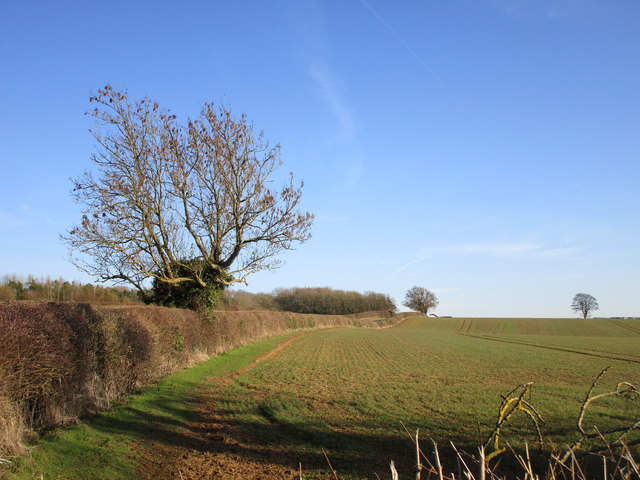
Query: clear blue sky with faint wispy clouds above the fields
pixel 488 150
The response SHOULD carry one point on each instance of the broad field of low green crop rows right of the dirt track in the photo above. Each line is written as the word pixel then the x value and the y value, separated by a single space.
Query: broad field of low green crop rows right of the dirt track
pixel 348 392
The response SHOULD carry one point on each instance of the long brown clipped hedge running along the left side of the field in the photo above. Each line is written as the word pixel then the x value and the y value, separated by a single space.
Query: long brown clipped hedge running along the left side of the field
pixel 59 361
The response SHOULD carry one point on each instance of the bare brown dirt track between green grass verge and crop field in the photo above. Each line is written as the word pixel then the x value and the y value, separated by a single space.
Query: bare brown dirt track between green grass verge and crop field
pixel 212 448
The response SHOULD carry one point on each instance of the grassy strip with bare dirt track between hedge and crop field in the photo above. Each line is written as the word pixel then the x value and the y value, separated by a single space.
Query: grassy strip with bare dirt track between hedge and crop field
pixel 142 436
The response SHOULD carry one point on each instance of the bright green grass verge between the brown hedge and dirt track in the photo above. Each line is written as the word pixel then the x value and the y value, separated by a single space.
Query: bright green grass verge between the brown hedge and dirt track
pixel 102 447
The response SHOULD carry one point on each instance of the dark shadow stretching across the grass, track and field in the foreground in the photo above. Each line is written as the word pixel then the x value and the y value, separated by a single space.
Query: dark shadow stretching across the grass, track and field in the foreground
pixel 179 428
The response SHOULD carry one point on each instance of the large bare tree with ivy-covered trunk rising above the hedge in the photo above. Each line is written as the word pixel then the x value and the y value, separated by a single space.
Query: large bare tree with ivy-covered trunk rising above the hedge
pixel 181 203
